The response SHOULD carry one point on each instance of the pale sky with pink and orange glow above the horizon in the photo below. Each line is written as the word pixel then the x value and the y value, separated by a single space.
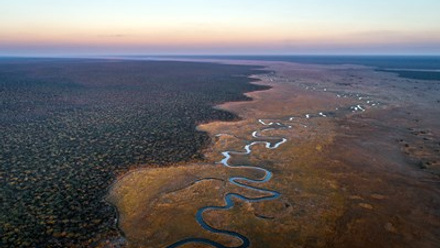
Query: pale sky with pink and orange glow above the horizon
pixel 170 27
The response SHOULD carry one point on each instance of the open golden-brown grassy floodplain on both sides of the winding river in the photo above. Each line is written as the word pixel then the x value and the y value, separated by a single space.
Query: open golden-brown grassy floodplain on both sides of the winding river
pixel 360 167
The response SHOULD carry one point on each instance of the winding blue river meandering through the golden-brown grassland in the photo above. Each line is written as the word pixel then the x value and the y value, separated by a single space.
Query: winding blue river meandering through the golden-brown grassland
pixel 269 143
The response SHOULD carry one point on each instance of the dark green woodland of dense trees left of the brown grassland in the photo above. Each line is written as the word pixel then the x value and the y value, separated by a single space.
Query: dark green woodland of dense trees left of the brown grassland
pixel 68 127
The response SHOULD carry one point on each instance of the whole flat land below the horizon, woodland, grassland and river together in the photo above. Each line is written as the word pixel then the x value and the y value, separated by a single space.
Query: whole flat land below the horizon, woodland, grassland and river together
pixel 117 153
